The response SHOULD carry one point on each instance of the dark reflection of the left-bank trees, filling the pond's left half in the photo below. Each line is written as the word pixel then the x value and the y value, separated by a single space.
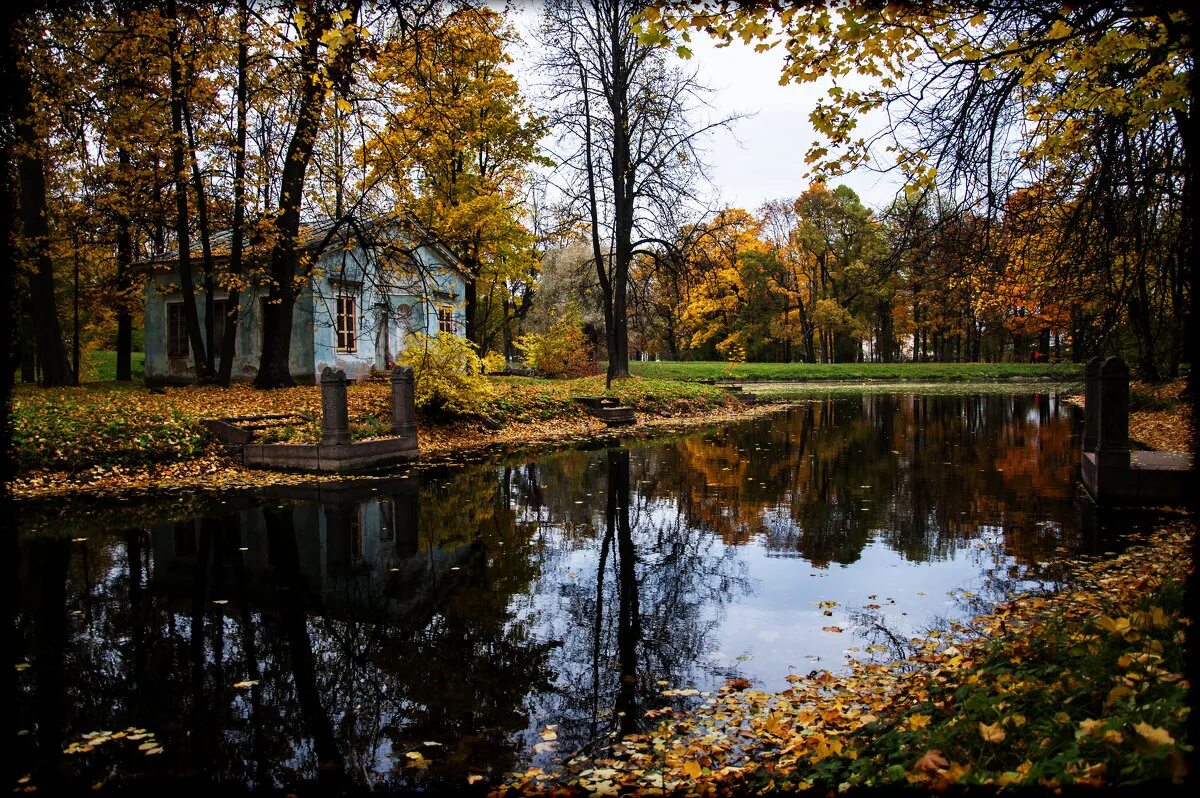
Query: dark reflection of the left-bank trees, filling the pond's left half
pixel 351 662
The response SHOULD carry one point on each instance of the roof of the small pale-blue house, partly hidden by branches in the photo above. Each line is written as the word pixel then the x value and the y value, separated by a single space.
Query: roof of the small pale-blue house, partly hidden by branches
pixel 325 237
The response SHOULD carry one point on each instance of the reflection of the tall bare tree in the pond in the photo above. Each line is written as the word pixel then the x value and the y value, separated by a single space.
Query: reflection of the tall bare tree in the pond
pixel 643 604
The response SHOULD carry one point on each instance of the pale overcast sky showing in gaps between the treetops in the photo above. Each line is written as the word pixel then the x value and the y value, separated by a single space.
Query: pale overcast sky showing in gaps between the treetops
pixel 763 157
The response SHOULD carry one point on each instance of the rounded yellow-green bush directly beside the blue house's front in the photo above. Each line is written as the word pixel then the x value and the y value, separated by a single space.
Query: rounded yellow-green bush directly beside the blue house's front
pixel 448 375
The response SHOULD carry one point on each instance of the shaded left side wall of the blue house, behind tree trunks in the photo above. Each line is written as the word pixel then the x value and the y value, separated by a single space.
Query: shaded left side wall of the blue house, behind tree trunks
pixel 163 289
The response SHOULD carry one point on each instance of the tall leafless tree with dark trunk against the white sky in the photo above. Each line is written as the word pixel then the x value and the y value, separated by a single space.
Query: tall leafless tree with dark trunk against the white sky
pixel 629 154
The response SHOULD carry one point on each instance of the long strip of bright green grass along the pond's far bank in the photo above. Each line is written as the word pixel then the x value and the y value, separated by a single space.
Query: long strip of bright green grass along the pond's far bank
pixel 866 371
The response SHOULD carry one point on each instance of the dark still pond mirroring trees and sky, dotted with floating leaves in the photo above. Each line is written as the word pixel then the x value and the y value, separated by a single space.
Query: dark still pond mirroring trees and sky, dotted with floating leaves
pixel 425 628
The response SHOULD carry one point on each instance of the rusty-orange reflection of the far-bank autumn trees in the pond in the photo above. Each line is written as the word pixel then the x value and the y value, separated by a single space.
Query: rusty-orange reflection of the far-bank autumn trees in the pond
pixel 921 473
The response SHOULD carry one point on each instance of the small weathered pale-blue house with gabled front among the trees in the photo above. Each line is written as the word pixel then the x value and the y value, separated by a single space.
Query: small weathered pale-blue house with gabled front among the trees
pixel 357 311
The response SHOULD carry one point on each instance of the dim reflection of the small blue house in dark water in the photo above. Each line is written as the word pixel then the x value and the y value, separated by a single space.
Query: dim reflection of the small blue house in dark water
pixel 349 553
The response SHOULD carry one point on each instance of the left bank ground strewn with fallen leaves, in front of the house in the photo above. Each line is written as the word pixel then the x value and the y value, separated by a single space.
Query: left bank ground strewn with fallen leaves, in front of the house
pixel 109 439
